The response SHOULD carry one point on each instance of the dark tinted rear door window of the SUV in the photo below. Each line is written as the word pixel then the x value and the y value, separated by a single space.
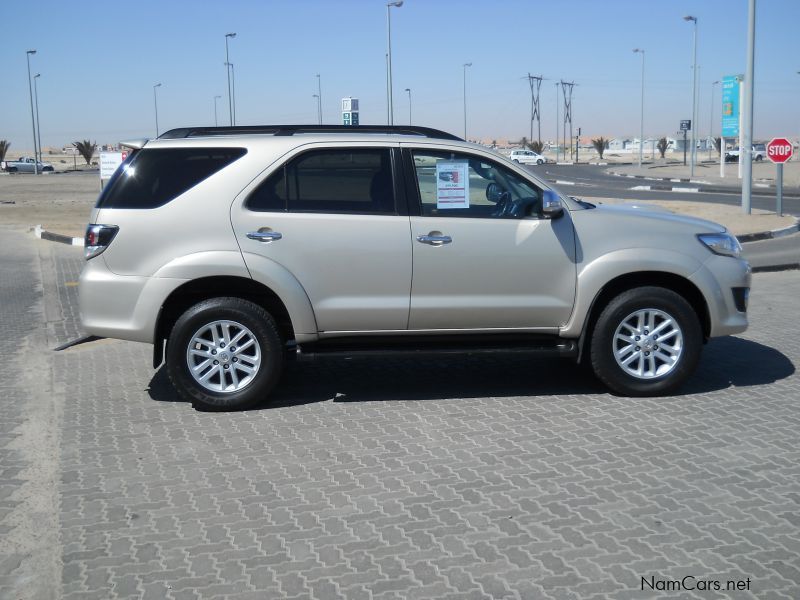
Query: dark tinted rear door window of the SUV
pixel 357 180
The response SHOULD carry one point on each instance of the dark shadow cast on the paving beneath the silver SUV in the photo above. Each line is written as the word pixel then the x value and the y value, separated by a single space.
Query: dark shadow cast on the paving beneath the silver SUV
pixel 726 362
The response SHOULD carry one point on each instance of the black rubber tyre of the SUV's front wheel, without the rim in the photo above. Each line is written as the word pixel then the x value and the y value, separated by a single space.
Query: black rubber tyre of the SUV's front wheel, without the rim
pixel 605 365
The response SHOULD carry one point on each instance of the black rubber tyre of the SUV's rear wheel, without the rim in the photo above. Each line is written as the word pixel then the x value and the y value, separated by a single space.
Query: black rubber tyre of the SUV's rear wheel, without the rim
pixel 252 316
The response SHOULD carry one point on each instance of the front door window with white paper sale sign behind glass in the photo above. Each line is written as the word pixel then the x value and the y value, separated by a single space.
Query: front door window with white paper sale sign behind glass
pixel 452 184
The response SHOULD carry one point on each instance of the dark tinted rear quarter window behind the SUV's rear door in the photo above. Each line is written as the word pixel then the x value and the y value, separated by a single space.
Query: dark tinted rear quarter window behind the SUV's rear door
pixel 152 178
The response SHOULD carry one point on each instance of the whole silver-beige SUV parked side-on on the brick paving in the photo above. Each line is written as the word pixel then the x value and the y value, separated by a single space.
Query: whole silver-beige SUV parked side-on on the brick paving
pixel 231 249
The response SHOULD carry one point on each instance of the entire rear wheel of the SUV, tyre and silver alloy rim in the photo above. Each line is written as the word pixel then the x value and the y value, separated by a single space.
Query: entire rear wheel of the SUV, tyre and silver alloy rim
pixel 237 378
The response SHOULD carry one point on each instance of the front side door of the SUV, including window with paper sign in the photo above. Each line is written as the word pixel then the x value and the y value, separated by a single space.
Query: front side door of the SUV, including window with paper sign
pixel 483 257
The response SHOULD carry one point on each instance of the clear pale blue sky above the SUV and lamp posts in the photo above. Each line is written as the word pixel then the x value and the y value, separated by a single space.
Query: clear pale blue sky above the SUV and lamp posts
pixel 99 62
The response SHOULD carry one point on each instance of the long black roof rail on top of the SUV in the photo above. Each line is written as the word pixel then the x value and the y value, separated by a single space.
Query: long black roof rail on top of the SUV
pixel 186 132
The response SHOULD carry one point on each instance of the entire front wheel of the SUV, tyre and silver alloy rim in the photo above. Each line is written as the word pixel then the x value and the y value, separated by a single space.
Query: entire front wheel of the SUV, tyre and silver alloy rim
pixel 653 370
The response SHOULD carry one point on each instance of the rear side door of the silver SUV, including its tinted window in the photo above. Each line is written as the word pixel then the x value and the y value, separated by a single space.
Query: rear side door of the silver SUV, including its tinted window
pixel 329 216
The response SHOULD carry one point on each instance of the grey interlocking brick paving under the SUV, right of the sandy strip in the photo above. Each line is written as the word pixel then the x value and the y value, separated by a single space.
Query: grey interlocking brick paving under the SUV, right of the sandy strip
pixel 451 478
